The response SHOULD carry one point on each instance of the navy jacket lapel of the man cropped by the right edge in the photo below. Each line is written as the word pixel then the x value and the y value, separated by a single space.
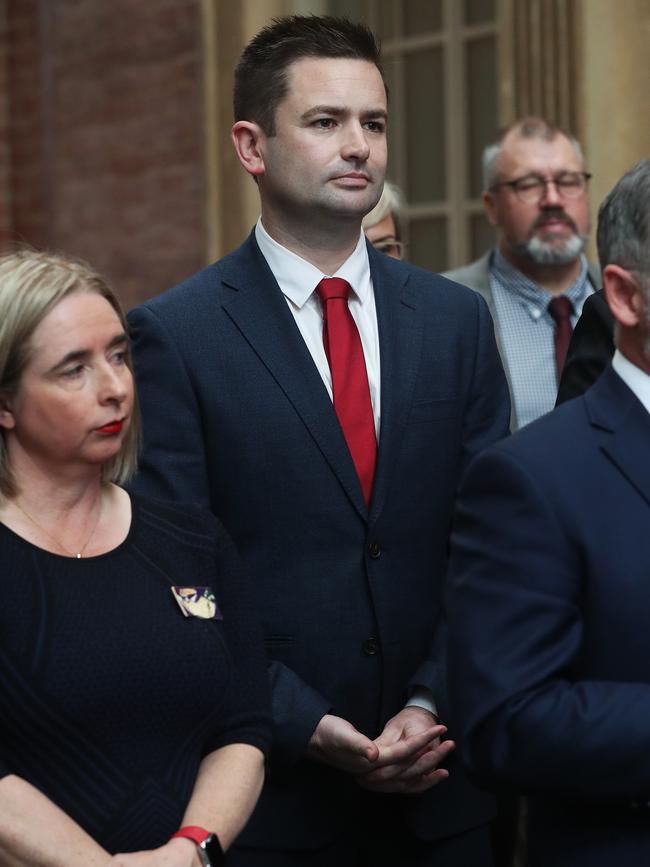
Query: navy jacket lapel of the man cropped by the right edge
pixel 622 426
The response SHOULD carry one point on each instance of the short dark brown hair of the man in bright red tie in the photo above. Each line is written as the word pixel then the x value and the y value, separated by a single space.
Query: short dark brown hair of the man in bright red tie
pixel 261 74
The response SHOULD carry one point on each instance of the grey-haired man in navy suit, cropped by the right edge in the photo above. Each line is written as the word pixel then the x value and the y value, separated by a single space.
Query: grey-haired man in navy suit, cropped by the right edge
pixel 549 592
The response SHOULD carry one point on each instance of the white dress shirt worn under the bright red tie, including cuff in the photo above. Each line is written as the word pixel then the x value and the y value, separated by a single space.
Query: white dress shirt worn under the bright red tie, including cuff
pixel 298 280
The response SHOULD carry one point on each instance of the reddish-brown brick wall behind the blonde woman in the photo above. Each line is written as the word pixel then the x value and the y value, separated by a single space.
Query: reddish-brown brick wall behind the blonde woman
pixel 105 131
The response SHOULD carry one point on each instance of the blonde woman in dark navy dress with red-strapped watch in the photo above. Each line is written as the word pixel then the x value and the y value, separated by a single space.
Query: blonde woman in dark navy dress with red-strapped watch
pixel 132 688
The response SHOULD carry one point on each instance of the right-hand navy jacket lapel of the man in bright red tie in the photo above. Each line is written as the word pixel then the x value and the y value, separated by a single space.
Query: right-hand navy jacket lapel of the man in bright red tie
pixel 400 341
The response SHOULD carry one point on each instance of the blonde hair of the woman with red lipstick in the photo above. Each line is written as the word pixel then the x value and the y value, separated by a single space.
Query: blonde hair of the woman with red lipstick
pixel 31 284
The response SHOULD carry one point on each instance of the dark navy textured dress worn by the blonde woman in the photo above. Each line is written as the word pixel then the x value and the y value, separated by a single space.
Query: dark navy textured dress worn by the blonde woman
pixel 109 695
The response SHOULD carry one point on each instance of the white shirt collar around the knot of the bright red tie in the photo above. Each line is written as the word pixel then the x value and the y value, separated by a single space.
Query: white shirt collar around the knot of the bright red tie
pixel 298 278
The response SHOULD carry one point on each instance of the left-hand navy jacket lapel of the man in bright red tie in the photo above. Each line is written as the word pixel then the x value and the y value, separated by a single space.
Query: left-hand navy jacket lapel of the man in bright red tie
pixel 260 312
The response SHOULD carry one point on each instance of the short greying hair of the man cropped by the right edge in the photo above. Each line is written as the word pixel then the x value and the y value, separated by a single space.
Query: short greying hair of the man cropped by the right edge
pixel 624 222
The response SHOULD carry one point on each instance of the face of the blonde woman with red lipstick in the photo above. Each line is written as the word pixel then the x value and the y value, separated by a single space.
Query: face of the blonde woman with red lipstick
pixel 74 401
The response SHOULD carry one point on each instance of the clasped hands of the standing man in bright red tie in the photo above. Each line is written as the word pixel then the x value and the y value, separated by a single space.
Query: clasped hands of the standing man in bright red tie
pixel 404 758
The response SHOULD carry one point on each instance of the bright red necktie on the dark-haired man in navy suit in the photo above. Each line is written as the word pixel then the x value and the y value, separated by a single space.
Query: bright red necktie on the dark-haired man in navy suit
pixel 349 379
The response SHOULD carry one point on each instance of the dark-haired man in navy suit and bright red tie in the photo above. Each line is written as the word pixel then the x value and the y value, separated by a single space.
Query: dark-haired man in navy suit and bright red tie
pixel 346 543
